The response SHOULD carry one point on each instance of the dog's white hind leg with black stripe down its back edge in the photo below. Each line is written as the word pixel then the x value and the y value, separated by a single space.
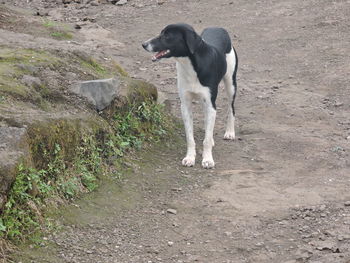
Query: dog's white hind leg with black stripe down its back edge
pixel 231 90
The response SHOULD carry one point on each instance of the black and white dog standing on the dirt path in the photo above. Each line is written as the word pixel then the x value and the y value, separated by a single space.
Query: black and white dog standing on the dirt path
pixel 202 62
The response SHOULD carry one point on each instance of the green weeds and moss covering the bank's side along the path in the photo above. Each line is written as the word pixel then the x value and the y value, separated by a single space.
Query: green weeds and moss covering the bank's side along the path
pixel 61 175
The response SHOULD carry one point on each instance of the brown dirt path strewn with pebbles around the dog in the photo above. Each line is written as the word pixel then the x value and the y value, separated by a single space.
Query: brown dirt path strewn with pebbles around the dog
pixel 279 193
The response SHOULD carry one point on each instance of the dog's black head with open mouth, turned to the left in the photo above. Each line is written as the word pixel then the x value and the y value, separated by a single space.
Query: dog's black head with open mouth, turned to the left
pixel 176 40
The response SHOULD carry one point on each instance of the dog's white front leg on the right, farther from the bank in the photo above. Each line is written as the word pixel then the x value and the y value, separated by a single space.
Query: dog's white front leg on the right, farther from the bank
pixel 208 143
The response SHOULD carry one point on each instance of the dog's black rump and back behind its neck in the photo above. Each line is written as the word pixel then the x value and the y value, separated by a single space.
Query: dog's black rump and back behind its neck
pixel 217 37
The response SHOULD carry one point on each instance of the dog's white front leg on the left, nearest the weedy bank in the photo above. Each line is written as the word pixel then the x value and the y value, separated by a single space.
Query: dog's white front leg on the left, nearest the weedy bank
pixel 186 111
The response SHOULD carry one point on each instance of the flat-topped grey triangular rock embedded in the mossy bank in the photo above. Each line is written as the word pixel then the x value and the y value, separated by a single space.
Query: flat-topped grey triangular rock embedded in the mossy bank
pixel 99 92
